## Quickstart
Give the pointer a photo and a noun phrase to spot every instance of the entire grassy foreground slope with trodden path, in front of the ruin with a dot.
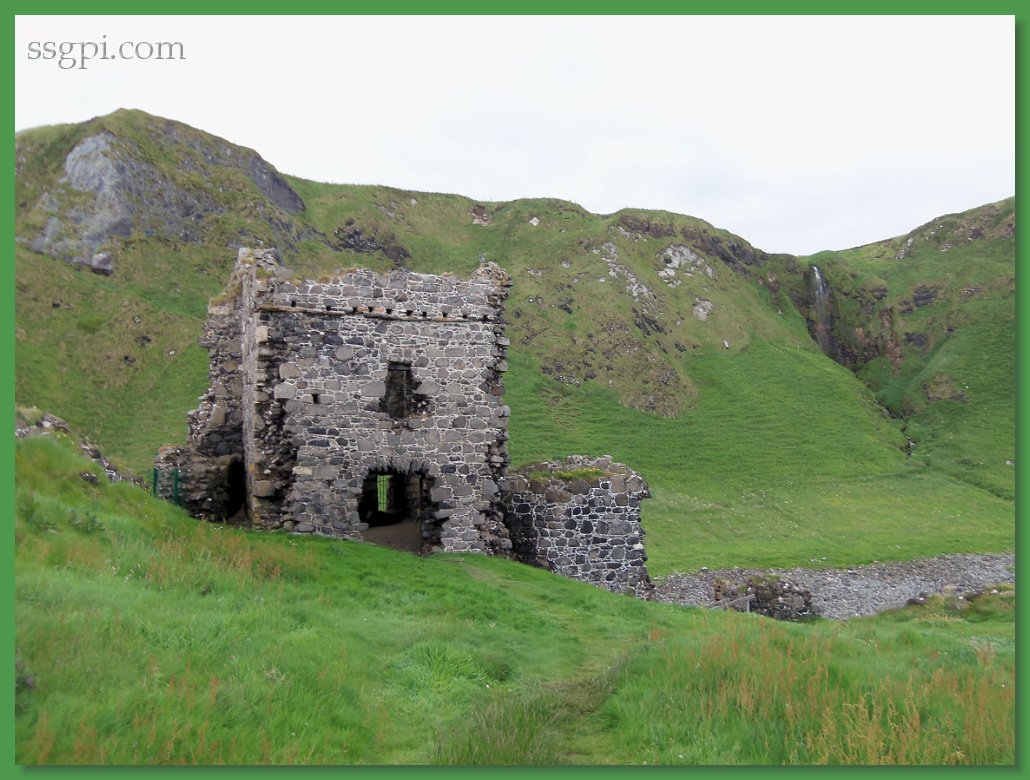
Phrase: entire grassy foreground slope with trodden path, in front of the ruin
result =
(145, 637)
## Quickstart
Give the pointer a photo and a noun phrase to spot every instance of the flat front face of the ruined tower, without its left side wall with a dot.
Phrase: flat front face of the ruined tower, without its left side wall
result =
(324, 352)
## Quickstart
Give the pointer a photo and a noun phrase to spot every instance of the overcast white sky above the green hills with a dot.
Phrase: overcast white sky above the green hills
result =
(799, 133)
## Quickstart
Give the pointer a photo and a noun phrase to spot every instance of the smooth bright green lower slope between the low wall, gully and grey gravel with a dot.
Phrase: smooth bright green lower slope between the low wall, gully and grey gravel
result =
(758, 473)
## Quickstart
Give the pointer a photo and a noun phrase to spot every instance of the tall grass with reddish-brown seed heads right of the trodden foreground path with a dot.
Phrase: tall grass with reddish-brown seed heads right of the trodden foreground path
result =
(763, 694)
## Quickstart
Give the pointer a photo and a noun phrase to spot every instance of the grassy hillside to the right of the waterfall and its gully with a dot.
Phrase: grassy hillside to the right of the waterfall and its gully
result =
(944, 297)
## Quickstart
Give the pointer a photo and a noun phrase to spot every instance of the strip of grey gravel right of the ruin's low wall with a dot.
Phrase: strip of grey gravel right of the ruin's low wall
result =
(840, 594)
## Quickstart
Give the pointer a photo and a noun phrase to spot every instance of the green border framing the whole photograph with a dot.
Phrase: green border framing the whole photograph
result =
(479, 8)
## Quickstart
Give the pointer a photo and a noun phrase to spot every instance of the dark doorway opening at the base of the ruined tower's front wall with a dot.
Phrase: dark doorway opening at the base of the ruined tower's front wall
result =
(397, 508)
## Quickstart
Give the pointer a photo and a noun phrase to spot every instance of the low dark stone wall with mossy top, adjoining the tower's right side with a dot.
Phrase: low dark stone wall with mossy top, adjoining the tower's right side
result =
(580, 519)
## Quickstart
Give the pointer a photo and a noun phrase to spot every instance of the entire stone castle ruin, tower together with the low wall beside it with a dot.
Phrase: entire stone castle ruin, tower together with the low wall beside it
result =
(371, 408)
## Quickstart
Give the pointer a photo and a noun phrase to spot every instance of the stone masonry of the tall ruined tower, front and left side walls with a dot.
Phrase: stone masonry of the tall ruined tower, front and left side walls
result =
(306, 408)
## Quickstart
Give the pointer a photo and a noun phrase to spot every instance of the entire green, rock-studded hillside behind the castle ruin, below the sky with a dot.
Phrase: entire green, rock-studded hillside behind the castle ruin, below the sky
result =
(665, 342)
